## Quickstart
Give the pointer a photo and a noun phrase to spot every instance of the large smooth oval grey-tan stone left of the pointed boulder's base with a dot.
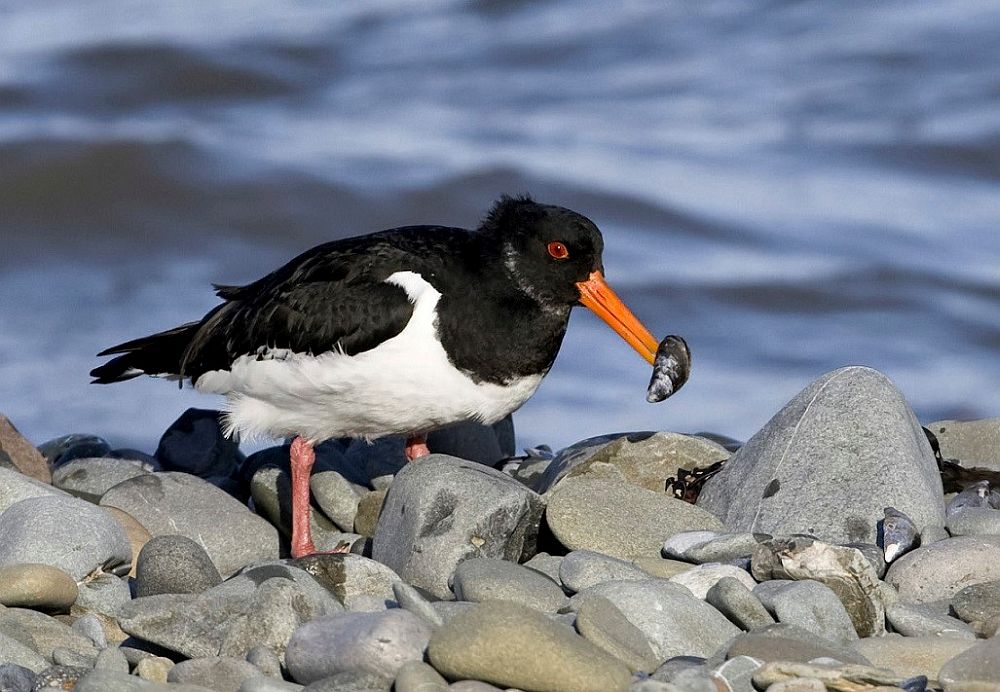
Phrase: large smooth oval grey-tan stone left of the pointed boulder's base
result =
(618, 519)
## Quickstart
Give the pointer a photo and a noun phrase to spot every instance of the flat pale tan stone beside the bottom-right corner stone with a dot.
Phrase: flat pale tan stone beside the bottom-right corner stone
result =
(911, 656)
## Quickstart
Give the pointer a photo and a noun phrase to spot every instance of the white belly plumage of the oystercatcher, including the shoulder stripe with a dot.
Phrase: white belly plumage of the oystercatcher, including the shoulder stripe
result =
(404, 385)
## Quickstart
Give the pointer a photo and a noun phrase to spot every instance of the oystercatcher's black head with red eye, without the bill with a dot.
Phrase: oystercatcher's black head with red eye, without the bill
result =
(547, 250)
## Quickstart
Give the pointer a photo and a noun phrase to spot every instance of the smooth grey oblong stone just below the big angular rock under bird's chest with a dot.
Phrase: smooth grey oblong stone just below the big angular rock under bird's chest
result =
(489, 579)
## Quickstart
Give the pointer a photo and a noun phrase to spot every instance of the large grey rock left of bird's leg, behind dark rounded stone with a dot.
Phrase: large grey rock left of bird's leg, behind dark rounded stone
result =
(179, 503)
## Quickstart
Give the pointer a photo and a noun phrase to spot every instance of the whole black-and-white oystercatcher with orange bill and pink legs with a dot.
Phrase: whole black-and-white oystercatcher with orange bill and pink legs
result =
(399, 332)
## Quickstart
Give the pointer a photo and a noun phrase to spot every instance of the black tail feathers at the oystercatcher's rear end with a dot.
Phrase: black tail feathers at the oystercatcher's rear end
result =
(156, 354)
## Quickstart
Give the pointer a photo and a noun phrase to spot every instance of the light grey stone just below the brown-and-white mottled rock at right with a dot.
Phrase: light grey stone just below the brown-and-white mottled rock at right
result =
(811, 606)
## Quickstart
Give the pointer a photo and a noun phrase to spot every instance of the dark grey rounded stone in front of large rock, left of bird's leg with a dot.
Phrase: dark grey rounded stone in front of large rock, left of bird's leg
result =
(174, 564)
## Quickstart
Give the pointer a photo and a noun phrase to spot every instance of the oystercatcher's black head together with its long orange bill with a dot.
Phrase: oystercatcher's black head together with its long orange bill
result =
(553, 254)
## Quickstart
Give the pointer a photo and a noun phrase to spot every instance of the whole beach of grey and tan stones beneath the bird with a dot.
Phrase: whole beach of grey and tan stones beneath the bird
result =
(824, 554)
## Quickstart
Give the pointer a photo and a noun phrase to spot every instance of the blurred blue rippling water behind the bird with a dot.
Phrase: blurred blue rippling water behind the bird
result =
(792, 186)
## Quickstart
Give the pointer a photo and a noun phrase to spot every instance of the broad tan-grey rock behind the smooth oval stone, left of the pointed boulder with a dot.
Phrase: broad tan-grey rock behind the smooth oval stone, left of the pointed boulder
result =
(645, 459)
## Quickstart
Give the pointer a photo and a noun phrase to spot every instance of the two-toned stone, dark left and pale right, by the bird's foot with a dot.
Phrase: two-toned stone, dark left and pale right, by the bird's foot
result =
(356, 581)
